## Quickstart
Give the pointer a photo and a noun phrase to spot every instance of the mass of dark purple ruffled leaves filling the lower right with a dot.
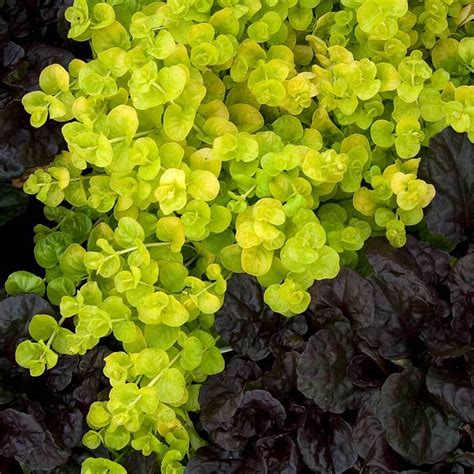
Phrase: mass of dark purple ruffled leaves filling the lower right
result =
(375, 376)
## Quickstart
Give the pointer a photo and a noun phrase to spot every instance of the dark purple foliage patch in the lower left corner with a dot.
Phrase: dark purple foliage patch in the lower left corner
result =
(43, 419)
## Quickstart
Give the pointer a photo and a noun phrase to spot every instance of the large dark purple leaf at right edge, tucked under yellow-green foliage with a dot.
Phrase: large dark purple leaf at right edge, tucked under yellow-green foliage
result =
(448, 165)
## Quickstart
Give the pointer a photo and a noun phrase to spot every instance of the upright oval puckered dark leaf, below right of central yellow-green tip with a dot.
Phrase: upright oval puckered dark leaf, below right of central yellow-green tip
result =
(322, 368)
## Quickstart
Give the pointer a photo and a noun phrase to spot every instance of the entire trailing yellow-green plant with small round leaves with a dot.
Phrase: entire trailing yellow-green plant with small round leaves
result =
(209, 138)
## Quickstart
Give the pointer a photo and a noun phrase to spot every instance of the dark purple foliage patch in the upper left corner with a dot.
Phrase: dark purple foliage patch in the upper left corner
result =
(32, 36)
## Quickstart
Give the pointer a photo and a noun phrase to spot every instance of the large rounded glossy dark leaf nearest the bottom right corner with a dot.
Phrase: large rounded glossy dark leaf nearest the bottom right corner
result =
(415, 428)
